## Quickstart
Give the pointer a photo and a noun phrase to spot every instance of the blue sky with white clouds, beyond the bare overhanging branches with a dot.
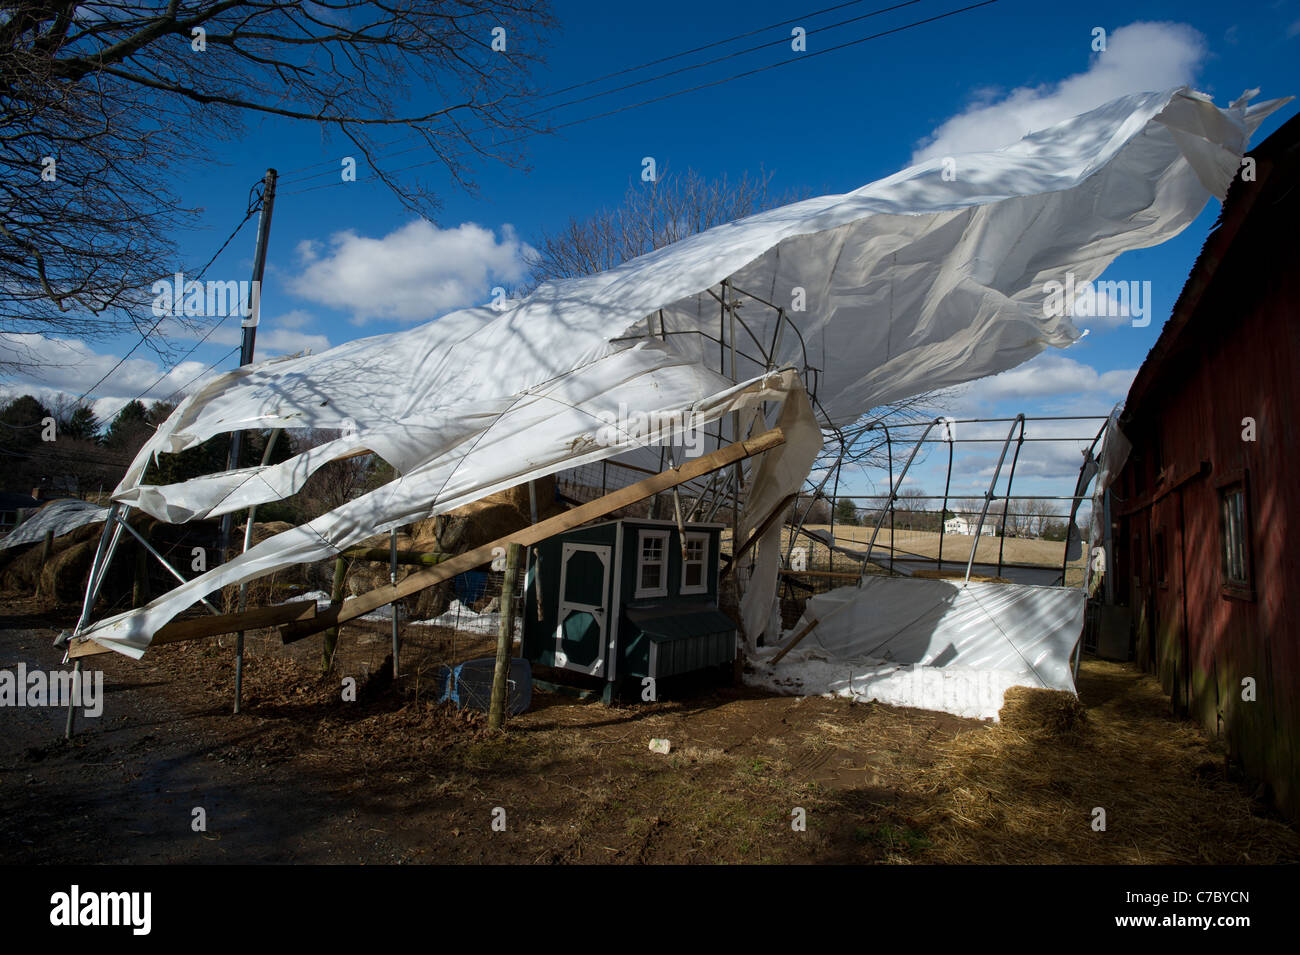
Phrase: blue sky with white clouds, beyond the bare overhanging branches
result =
(826, 124)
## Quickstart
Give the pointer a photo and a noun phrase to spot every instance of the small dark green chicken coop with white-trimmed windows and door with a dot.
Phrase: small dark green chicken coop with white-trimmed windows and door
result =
(622, 601)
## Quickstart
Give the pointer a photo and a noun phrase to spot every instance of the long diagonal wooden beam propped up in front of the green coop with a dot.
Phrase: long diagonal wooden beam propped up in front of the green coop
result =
(422, 580)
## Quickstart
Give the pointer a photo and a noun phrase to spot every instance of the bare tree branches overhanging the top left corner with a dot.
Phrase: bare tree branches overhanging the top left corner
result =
(102, 103)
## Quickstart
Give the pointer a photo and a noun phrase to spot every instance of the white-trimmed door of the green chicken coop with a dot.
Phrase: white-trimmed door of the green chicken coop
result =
(584, 622)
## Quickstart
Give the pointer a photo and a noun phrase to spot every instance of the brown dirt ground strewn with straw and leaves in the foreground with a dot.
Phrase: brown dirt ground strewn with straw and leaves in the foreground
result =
(304, 776)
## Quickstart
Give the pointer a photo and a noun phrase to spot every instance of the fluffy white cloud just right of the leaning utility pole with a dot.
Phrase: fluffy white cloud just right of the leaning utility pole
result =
(414, 274)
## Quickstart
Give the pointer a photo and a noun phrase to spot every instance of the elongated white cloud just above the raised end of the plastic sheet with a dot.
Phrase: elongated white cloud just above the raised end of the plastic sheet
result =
(1139, 58)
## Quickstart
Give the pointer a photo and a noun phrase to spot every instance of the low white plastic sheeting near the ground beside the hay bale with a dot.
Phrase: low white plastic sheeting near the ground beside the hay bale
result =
(931, 644)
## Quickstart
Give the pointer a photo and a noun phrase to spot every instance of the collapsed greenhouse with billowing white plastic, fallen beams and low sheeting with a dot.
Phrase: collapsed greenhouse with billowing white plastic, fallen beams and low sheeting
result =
(775, 337)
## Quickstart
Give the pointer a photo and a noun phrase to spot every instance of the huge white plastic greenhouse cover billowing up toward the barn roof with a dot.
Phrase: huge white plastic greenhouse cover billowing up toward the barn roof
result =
(918, 281)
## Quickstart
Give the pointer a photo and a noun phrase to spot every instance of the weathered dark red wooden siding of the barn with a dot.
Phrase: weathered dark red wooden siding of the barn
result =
(1238, 357)
